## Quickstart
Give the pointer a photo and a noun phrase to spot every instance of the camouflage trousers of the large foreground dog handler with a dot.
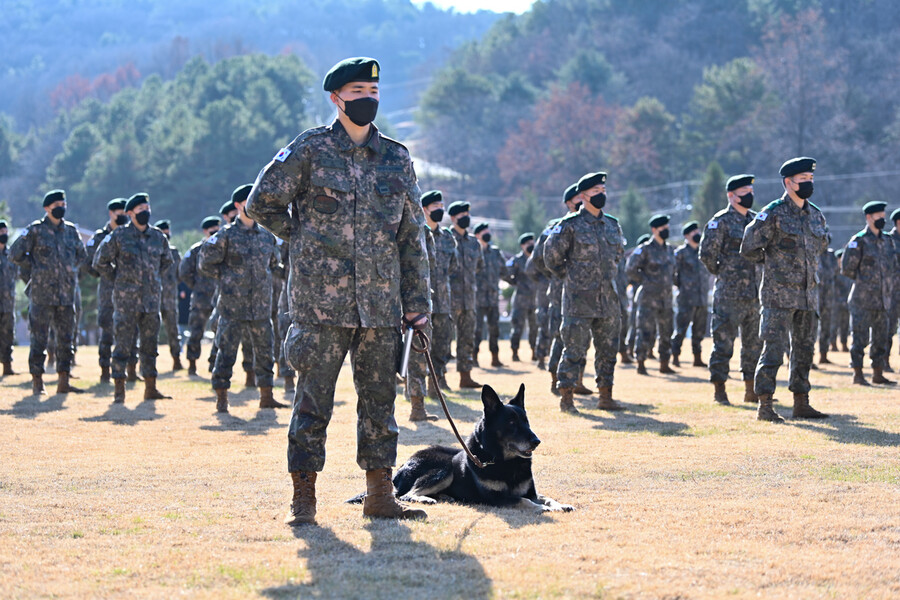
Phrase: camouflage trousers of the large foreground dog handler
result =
(317, 352)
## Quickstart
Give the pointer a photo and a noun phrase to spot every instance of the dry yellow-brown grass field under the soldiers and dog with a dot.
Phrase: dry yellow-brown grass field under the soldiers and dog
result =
(675, 498)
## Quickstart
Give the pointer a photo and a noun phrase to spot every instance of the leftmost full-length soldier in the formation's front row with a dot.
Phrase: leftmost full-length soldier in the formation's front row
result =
(51, 250)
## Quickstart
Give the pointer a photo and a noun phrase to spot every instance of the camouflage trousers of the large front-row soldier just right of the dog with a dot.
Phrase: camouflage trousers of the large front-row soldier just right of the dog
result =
(576, 335)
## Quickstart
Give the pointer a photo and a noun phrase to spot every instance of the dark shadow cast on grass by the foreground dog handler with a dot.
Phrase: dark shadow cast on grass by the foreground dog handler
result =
(395, 566)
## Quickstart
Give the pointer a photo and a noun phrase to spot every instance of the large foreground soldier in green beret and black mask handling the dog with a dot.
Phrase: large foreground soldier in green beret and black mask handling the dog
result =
(346, 199)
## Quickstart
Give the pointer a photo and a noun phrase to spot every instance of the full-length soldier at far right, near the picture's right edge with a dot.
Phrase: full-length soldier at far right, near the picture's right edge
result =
(868, 259)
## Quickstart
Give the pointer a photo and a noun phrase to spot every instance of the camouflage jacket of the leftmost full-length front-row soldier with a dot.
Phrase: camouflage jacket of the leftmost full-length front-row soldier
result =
(52, 254)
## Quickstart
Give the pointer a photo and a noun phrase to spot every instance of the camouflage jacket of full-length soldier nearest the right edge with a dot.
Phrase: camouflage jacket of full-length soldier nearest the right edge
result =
(869, 260)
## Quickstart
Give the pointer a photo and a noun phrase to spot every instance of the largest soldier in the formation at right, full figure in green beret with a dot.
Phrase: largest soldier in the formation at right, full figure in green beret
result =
(787, 237)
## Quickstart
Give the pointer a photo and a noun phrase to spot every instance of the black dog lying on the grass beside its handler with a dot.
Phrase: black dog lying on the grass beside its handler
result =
(503, 441)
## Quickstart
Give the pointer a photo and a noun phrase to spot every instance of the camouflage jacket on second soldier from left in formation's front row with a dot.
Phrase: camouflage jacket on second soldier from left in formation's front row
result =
(135, 261)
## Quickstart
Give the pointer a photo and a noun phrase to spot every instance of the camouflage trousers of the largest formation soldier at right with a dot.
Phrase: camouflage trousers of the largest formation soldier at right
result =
(776, 326)
